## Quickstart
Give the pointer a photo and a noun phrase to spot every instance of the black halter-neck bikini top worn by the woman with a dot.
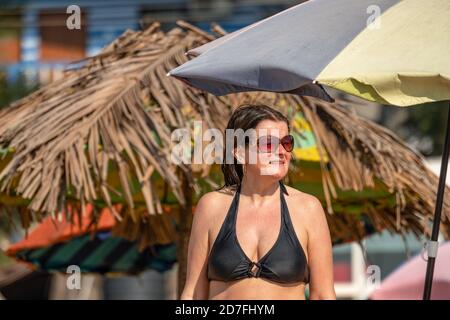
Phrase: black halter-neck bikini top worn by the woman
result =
(285, 262)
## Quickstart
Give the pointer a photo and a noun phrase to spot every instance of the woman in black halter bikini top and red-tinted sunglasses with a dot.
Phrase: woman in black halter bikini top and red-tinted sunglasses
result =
(257, 238)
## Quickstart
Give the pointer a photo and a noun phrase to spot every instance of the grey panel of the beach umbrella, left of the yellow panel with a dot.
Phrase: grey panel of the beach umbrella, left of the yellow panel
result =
(262, 56)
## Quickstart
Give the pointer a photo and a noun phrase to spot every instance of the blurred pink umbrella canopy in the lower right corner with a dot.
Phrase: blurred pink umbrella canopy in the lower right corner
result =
(406, 282)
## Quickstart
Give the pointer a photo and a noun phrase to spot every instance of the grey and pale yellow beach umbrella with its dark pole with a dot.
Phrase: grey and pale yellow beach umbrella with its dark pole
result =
(388, 51)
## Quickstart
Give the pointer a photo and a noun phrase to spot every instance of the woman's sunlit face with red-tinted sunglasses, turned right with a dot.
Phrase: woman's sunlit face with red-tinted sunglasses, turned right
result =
(270, 158)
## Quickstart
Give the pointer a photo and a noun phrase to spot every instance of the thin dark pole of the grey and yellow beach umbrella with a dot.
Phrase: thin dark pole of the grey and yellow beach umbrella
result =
(433, 244)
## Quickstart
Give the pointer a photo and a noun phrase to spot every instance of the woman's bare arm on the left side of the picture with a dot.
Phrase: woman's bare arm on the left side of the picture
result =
(197, 285)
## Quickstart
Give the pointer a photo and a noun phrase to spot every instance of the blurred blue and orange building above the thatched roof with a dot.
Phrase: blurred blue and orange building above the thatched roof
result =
(35, 37)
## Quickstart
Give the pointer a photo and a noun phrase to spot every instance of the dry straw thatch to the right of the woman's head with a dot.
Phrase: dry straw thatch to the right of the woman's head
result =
(360, 152)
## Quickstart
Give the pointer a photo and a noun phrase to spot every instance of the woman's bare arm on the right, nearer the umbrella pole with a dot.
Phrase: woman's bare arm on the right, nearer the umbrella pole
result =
(320, 254)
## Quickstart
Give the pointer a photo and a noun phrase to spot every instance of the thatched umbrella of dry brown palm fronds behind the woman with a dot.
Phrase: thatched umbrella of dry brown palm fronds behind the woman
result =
(102, 134)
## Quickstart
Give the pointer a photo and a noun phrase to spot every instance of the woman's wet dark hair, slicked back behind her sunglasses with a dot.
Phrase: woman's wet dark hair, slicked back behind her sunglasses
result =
(245, 117)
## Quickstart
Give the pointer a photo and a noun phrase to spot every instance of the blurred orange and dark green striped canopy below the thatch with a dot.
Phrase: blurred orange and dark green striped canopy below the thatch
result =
(55, 245)
